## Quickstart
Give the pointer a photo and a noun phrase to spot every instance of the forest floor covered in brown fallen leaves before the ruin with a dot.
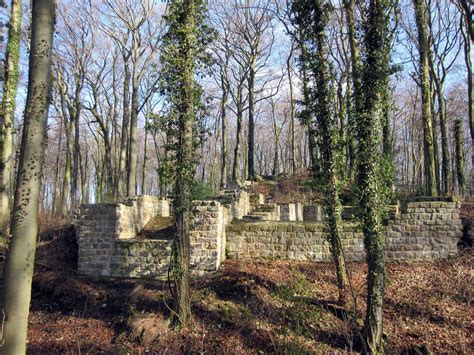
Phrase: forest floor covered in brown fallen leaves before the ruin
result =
(247, 307)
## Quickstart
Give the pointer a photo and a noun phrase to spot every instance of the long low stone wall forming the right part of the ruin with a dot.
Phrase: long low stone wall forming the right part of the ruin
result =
(425, 231)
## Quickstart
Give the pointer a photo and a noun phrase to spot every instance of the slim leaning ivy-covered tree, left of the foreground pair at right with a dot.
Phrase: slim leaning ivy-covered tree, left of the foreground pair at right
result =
(314, 16)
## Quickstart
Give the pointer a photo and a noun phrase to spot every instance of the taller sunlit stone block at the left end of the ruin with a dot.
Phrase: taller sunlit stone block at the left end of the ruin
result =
(108, 245)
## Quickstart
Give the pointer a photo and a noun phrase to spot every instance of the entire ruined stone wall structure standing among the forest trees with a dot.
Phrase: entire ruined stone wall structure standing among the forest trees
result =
(240, 225)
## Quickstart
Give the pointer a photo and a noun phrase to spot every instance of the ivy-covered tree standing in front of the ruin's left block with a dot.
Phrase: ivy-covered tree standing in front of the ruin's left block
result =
(183, 43)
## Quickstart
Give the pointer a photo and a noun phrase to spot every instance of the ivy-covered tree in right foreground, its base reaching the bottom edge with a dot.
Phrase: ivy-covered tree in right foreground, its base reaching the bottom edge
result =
(374, 83)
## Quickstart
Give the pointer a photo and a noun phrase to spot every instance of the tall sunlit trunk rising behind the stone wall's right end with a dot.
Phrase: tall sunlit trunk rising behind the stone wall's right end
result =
(428, 138)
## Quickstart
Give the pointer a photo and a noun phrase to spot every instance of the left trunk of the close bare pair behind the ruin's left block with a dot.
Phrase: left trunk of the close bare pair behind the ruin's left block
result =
(123, 160)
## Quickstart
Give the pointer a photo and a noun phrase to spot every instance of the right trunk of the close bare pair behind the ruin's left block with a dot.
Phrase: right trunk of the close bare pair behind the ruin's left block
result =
(133, 152)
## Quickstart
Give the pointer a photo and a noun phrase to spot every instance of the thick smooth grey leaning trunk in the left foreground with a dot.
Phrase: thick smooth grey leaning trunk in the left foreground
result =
(19, 265)
